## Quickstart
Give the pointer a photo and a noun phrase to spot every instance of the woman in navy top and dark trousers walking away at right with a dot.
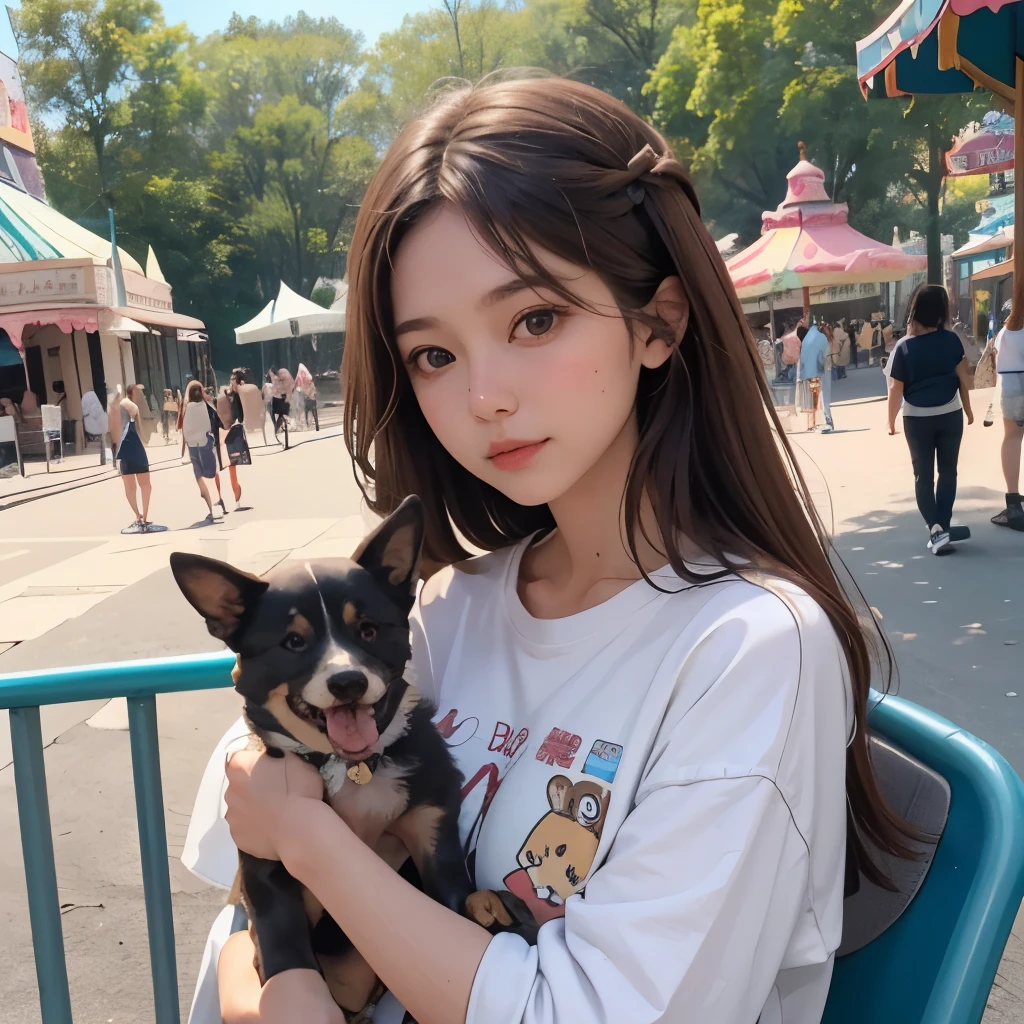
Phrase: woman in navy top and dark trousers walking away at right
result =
(928, 374)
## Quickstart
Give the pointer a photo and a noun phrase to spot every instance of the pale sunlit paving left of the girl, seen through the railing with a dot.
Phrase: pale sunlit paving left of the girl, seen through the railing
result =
(73, 590)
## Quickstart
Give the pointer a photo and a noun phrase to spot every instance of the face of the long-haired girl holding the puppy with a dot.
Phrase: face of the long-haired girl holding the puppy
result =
(525, 391)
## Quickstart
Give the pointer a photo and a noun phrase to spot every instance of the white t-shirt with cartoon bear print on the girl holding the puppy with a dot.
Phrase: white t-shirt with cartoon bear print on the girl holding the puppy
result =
(664, 778)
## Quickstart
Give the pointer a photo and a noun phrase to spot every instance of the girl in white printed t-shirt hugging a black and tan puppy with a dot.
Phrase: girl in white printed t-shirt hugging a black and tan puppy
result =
(540, 328)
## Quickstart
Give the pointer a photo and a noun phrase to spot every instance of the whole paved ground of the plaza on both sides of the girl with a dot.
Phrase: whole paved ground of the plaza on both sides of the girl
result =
(73, 590)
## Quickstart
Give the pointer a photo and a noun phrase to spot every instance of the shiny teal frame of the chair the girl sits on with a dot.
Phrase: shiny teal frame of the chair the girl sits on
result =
(937, 962)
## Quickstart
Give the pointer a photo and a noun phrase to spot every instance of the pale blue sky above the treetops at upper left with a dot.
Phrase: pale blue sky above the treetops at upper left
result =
(203, 17)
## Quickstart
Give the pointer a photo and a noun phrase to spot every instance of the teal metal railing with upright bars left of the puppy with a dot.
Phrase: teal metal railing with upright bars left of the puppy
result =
(140, 682)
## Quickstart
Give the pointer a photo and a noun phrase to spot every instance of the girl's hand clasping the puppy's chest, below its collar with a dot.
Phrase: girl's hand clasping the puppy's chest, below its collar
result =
(270, 800)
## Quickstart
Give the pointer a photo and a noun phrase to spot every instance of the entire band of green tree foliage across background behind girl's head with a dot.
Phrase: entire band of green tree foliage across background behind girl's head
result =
(243, 157)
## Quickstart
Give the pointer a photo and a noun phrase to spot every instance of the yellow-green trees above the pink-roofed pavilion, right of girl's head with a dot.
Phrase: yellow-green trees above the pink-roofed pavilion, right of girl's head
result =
(746, 81)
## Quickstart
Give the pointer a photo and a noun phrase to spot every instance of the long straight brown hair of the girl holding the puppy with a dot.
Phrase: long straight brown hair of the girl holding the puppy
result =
(563, 166)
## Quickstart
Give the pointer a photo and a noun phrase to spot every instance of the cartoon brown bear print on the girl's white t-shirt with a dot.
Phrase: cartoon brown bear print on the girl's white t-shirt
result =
(554, 861)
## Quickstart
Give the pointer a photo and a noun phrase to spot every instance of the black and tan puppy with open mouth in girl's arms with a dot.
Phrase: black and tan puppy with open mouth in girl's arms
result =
(322, 653)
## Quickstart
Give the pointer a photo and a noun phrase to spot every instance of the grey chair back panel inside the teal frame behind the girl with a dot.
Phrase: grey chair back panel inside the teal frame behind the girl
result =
(921, 797)
